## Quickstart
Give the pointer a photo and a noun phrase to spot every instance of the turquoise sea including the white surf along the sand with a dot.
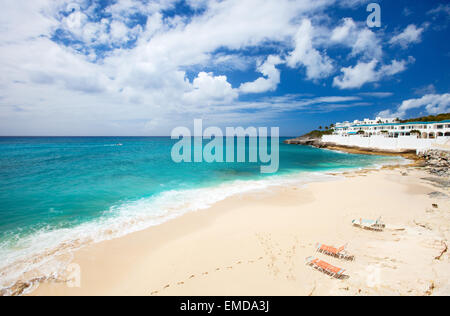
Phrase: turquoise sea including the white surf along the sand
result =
(57, 194)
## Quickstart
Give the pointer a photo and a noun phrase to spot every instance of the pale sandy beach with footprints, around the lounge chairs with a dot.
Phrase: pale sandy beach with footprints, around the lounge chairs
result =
(256, 244)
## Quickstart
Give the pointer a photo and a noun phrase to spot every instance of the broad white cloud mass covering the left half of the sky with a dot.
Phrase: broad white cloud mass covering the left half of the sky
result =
(131, 82)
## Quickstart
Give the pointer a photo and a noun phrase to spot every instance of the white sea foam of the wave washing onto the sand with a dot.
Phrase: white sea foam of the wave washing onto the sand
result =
(46, 253)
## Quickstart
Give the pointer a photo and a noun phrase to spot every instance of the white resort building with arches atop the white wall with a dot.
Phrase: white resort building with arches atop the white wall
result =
(390, 127)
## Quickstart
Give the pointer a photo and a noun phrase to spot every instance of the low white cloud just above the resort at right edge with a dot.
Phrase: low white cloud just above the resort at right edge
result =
(432, 104)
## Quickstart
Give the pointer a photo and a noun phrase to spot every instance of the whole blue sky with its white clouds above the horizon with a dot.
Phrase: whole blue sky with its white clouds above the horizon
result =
(142, 68)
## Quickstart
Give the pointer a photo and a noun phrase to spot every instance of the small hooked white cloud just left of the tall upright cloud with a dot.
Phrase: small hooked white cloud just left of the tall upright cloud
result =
(268, 69)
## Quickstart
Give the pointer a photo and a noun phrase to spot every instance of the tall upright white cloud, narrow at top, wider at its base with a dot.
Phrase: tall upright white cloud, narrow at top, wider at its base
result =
(318, 65)
